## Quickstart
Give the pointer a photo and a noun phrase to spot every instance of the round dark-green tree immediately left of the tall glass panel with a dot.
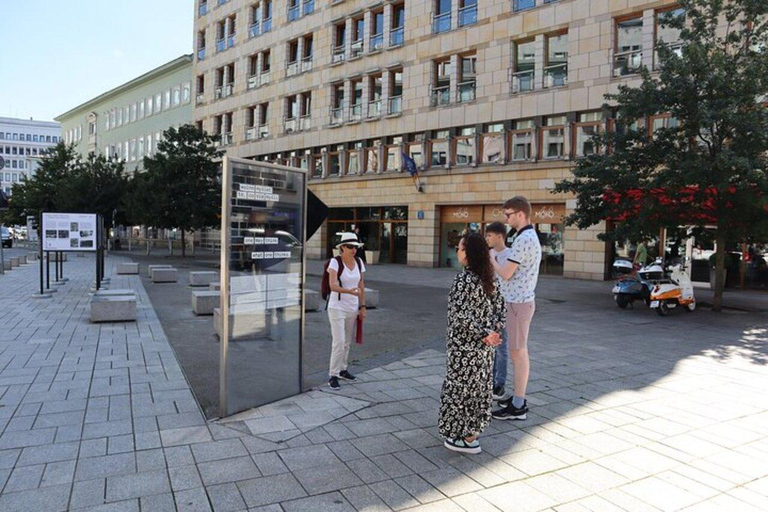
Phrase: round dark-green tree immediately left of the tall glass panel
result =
(184, 176)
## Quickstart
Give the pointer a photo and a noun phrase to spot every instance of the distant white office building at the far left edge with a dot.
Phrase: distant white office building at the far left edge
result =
(21, 142)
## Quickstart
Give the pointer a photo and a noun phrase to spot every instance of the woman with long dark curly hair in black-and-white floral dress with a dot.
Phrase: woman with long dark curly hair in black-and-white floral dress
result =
(475, 319)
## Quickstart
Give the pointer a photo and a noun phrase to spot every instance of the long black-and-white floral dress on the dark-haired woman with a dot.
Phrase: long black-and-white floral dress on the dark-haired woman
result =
(465, 403)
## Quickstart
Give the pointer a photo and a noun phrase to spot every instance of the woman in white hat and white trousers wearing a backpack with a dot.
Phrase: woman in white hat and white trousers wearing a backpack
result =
(344, 289)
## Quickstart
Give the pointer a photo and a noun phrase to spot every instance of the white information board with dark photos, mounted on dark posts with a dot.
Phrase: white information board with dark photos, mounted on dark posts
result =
(69, 232)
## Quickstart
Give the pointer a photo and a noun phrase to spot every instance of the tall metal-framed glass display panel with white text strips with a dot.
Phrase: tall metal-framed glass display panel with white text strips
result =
(263, 253)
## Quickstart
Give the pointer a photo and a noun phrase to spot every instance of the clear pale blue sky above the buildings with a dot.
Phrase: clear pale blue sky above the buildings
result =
(59, 54)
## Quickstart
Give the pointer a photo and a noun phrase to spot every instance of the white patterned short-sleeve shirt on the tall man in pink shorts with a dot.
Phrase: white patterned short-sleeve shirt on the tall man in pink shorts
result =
(526, 252)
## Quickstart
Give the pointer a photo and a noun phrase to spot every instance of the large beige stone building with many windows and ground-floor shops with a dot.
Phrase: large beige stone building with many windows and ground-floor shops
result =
(490, 99)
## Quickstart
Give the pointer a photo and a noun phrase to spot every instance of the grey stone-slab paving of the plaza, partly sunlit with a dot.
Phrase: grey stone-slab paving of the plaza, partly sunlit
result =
(628, 412)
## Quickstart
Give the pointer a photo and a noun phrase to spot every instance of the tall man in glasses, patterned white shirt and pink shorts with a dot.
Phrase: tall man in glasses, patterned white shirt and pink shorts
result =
(522, 273)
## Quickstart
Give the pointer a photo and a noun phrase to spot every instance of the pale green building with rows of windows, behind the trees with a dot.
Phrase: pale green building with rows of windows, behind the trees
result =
(128, 121)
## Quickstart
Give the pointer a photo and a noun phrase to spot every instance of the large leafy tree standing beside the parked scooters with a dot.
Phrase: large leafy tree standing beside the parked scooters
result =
(708, 167)
